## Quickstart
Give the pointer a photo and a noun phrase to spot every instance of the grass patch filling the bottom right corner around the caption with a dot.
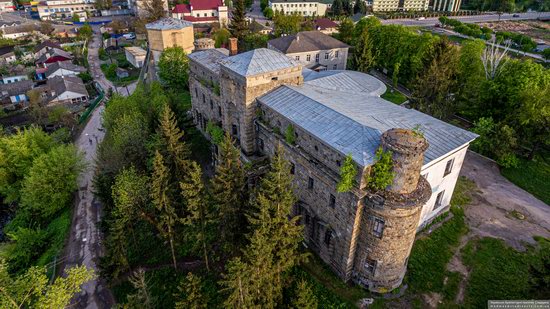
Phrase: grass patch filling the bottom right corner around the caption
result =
(501, 272)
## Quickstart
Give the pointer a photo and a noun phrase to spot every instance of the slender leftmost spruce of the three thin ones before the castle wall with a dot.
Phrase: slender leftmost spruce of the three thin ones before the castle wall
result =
(167, 217)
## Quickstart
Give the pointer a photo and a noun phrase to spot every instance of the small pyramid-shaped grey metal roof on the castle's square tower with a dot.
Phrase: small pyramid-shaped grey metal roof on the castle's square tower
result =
(258, 61)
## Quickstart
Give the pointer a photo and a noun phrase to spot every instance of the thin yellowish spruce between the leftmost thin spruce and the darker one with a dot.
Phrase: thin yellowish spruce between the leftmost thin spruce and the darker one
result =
(200, 217)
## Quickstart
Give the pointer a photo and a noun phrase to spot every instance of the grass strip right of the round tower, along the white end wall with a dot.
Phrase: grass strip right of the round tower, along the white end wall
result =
(429, 257)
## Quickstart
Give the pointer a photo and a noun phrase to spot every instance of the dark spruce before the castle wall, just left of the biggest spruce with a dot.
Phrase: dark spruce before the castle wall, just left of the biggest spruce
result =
(229, 195)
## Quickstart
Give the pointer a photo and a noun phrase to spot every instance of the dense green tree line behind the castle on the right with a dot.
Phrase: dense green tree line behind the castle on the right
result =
(507, 99)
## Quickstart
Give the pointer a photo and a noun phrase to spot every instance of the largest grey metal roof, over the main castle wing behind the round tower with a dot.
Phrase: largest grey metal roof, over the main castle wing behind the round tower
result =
(351, 121)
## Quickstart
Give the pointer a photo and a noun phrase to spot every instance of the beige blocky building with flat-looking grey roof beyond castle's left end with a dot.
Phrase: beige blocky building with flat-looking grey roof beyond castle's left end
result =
(169, 32)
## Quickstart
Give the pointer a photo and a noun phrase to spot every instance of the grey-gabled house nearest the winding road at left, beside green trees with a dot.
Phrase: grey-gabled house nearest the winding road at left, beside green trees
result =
(66, 90)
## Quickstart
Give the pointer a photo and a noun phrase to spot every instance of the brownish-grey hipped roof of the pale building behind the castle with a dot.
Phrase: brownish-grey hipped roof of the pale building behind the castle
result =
(306, 41)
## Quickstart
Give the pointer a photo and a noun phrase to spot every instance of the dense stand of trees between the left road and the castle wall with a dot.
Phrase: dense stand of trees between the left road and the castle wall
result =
(163, 208)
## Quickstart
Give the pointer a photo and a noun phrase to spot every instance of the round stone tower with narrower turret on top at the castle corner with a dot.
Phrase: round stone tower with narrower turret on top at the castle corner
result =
(393, 214)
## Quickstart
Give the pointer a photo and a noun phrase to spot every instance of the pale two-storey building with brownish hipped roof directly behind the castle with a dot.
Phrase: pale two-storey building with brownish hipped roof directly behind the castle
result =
(315, 50)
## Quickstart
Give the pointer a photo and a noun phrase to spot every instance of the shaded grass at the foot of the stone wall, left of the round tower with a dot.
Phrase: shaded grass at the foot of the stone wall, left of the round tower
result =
(329, 289)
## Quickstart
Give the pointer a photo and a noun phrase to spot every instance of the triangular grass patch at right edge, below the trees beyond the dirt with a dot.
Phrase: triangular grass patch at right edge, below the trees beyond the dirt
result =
(532, 176)
